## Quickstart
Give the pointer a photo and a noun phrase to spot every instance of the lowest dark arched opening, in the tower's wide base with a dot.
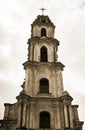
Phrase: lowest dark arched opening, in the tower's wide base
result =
(44, 120)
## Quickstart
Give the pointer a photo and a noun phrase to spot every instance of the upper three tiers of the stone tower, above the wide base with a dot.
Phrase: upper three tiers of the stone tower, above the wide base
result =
(43, 58)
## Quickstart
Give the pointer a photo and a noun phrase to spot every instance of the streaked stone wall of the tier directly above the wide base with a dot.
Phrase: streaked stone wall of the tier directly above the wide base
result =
(43, 71)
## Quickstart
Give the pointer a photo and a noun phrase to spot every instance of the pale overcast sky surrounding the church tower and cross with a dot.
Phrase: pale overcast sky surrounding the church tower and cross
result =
(16, 17)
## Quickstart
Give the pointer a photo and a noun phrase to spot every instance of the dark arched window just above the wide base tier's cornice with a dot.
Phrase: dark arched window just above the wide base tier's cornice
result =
(44, 85)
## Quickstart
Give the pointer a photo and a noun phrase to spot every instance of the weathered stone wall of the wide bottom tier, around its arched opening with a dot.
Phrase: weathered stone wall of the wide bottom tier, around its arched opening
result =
(62, 113)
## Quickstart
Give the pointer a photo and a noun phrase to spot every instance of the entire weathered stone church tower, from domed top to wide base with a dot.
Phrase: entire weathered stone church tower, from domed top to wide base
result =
(43, 104)
